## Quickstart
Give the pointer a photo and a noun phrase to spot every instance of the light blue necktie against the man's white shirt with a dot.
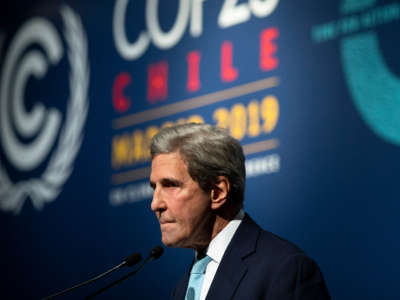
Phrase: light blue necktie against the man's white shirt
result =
(196, 278)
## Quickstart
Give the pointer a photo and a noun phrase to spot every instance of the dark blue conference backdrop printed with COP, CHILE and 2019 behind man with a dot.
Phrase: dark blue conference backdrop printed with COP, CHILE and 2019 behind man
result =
(310, 88)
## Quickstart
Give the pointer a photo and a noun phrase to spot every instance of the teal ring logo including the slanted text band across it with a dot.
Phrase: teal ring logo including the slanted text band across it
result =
(375, 90)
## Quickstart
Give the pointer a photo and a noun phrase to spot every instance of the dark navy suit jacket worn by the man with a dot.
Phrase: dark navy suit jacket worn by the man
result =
(259, 265)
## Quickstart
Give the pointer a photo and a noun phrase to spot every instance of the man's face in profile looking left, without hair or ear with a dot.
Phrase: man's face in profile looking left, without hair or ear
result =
(181, 206)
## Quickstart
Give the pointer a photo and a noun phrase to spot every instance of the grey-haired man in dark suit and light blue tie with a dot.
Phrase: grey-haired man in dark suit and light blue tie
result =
(198, 177)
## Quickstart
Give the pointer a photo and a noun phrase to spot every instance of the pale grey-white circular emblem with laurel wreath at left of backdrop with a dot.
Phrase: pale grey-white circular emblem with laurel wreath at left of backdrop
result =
(45, 128)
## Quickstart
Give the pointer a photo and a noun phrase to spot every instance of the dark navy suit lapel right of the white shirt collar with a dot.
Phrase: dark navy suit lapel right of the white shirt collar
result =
(233, 268)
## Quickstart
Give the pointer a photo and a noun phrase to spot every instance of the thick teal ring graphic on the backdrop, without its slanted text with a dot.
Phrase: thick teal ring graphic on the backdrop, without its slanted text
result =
(375, 90)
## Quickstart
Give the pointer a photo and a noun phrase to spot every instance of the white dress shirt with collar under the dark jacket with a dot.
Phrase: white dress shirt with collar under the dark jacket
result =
(216, 250)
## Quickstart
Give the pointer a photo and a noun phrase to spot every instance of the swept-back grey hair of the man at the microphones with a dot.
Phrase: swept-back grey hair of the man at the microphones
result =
(208, 152)
